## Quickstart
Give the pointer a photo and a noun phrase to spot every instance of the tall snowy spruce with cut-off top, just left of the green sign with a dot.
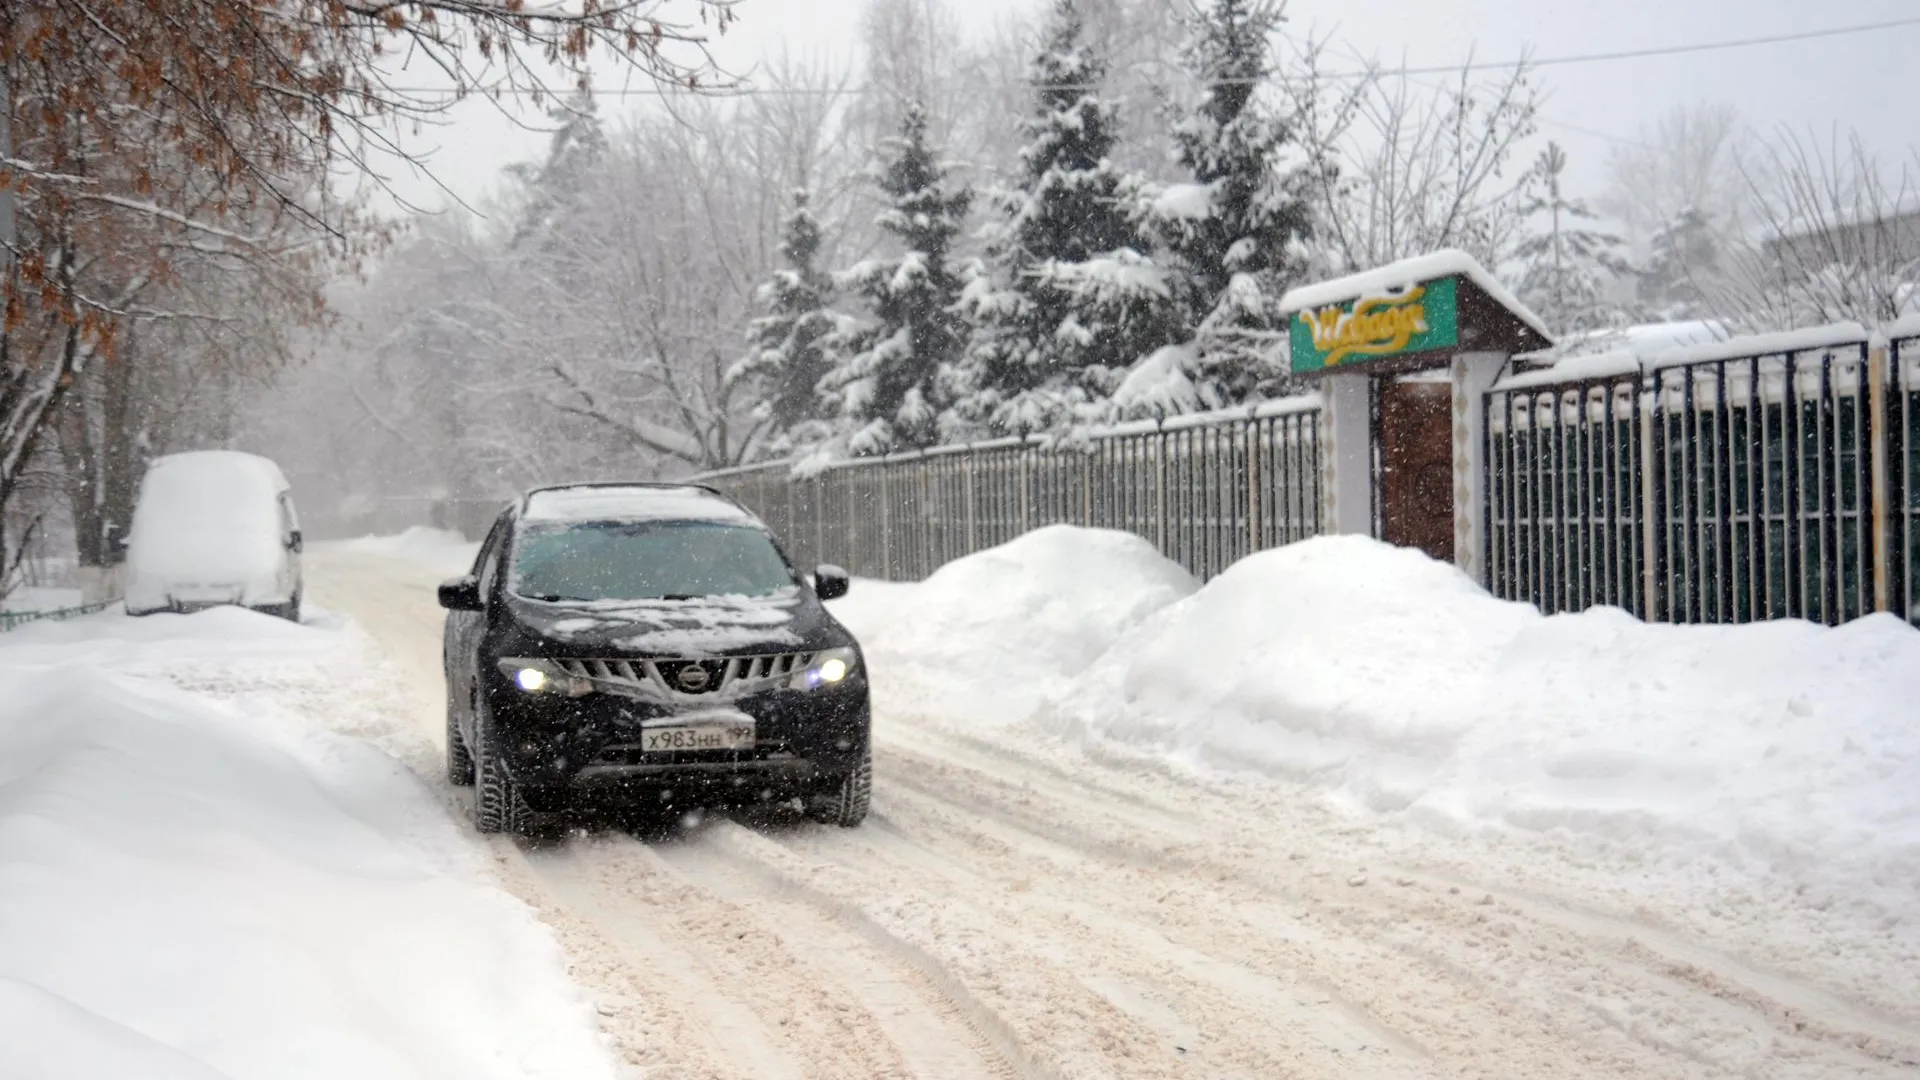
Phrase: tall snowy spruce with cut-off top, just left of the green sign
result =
(1236, 233)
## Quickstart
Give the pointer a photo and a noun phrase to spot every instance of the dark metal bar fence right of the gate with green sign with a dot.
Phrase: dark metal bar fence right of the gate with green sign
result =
(1721, 489)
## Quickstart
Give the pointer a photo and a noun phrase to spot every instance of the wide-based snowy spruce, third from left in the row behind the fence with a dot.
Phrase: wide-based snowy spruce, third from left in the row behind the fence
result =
(1068, 301)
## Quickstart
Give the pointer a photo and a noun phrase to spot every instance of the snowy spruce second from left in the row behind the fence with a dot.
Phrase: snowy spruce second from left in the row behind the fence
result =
(890, 385)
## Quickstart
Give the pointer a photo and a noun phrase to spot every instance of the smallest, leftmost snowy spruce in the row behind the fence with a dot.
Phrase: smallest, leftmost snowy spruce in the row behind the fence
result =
(788, 347)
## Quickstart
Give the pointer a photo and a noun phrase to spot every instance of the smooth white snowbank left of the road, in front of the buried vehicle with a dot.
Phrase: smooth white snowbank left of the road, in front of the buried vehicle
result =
(214, 889)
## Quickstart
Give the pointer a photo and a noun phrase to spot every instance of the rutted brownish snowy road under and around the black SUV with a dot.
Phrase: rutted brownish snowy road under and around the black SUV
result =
(1017, 912)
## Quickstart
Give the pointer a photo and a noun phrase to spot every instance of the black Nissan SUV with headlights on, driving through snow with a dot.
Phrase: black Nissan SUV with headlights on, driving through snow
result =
(648, 647)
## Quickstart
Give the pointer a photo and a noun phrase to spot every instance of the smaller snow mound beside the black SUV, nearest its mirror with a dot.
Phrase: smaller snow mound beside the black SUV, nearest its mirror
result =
(988, 637)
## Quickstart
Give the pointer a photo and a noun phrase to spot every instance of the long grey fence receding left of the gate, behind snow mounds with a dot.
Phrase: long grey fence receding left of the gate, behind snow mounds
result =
(1207, 491)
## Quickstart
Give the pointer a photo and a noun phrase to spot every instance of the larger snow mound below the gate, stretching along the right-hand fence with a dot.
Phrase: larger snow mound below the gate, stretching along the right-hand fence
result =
(1399, 685)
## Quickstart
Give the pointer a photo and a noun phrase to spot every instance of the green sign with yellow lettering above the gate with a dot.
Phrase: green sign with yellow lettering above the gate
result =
(1380, 328)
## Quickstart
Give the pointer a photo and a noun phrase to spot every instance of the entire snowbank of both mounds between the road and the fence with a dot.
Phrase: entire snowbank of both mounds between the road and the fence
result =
(1399, 687)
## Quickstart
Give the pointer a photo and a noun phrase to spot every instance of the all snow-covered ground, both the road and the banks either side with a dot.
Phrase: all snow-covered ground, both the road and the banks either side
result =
(1122, 827)
